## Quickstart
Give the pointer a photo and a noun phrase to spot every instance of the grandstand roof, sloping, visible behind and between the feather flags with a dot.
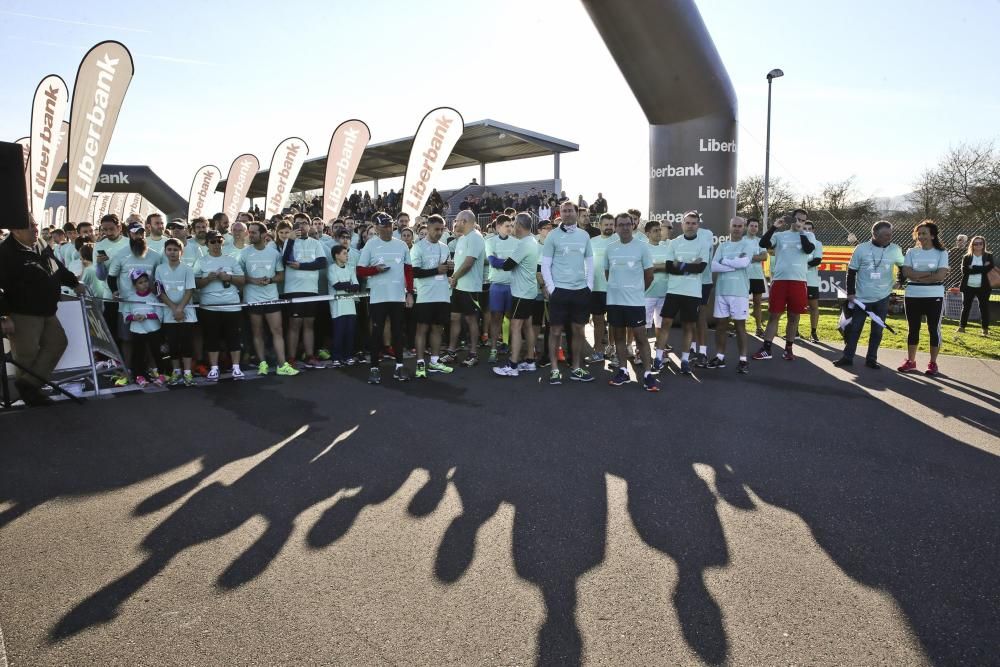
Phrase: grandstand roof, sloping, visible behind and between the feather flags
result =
(482, 142)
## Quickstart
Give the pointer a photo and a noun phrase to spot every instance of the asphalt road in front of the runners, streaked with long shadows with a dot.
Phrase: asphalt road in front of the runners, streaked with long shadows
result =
(800, 515)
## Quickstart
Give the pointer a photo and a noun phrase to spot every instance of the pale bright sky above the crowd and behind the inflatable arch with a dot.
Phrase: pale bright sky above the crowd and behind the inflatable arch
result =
(875, 90)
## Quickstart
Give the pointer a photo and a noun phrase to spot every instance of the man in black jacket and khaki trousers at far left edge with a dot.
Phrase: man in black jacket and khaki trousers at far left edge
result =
(30, 278)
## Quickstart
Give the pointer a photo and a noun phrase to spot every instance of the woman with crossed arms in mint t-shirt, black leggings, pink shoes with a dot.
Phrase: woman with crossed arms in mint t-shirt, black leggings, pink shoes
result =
(925, 267)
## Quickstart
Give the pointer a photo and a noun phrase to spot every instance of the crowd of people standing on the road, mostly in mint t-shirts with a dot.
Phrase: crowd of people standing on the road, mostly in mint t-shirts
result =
(185, 298)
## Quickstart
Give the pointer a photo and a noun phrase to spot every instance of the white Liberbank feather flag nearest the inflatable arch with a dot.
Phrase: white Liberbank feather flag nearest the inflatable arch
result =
(436, 137)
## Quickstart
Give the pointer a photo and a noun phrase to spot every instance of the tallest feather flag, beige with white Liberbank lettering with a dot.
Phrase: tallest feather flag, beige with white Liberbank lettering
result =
(101, 83)
